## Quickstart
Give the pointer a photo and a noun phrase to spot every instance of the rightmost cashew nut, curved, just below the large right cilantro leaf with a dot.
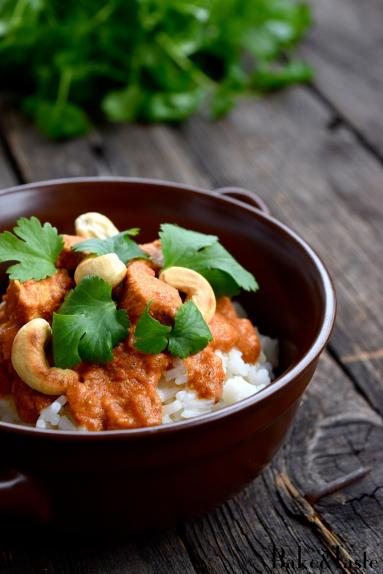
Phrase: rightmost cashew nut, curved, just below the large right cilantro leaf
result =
(197, 288)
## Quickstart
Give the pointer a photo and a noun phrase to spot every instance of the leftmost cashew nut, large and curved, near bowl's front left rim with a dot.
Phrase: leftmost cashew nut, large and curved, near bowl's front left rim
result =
(30, 362)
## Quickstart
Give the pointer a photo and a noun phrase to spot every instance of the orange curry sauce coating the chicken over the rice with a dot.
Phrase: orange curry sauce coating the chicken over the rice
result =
(120, 394)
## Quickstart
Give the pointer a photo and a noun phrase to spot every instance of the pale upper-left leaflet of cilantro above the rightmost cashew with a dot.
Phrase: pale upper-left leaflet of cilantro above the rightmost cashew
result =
(178, 243)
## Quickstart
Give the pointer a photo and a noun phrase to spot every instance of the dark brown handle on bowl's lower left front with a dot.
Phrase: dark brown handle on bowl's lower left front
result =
(22, 496)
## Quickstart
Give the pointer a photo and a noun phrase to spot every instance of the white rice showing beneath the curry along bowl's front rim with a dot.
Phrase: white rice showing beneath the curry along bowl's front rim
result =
(179, 401)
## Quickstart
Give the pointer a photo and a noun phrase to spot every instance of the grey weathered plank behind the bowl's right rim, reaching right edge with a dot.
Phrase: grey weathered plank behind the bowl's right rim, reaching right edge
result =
(328, 188)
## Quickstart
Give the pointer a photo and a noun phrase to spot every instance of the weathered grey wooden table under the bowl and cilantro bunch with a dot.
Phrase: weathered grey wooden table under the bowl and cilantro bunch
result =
(315, 155)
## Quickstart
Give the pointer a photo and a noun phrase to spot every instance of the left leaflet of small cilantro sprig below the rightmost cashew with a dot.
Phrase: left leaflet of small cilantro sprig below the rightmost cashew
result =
(151, 336)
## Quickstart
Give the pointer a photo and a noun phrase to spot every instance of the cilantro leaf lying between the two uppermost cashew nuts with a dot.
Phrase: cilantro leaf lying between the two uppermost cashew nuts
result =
(120, 244)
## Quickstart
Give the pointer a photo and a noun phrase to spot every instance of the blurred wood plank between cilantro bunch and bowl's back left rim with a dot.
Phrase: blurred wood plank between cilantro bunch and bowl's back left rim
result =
(151, 152)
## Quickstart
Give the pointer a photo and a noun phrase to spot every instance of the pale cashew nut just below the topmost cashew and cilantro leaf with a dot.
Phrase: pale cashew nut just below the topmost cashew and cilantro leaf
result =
(109, 267)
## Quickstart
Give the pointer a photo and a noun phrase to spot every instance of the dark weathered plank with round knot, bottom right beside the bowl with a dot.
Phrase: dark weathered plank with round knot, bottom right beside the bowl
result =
(335, 432)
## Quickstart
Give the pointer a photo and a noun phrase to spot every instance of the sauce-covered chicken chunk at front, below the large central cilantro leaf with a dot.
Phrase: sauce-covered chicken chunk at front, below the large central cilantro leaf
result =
(120, 394)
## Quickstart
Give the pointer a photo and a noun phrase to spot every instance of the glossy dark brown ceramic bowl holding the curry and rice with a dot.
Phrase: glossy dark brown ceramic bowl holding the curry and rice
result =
(155, 476)
